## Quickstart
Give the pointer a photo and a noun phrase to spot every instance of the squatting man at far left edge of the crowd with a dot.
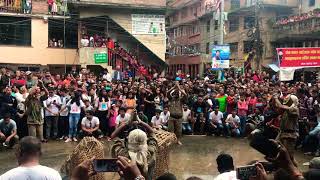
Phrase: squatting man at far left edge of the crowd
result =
(8, 131)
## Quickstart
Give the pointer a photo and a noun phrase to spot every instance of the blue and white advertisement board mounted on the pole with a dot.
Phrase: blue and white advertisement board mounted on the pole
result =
(220, 56)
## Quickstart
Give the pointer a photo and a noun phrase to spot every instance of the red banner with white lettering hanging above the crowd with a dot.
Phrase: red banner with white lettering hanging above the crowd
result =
(299, 57)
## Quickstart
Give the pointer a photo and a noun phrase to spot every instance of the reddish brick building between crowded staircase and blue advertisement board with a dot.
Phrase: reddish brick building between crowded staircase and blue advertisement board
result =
(191, 32)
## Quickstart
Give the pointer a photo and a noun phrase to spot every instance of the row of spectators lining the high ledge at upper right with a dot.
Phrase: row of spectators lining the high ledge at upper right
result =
(297, 18)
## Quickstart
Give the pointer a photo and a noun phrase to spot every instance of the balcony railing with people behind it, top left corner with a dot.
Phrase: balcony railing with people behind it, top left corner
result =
(16, 6)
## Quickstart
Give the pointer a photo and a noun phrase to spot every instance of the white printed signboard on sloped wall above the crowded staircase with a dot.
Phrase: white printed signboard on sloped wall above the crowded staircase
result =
(148, 24)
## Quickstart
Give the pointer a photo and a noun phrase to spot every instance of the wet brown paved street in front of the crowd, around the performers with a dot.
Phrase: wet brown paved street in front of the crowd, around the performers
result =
(195, 157)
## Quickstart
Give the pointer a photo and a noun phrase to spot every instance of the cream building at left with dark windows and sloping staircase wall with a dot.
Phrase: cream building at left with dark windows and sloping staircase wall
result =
(32, 39)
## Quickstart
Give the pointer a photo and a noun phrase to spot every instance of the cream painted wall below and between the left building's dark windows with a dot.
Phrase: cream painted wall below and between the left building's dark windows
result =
(38, 53)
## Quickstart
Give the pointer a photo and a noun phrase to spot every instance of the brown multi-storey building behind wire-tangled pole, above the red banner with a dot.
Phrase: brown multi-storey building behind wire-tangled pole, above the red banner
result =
(241, 25)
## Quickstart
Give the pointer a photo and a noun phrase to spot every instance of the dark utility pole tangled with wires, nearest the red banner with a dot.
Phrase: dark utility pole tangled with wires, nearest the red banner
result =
(258, 43)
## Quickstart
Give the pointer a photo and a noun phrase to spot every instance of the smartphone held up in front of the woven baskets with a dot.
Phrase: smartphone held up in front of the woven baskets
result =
(105, 165)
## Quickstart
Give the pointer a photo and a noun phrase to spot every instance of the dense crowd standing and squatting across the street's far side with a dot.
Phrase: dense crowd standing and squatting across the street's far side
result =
(78, 104)
